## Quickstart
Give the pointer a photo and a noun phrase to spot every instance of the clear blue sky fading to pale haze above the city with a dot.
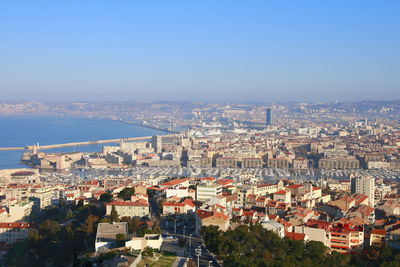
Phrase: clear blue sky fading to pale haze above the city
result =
(199, 50)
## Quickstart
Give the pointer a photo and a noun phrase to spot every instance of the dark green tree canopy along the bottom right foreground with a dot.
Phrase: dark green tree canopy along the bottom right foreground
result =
(255, 246)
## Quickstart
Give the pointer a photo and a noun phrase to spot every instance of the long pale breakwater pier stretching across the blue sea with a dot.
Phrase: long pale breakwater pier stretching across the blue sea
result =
(85, 143)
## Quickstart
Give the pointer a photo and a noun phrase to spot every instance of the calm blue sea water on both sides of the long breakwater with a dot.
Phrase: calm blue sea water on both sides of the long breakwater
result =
(21, 131)
